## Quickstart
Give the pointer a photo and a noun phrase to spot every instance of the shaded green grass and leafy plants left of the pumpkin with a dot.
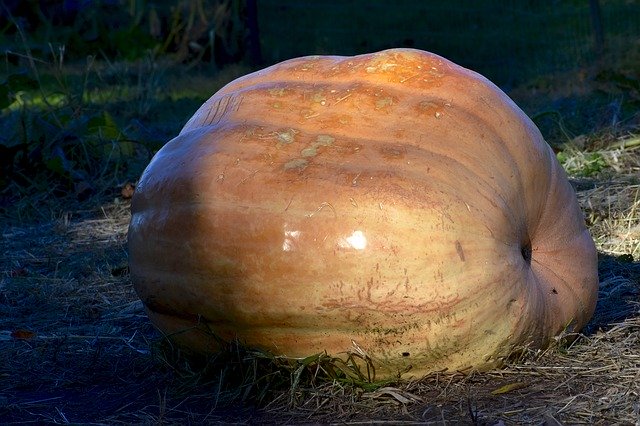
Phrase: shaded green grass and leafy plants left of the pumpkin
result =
(77, 132)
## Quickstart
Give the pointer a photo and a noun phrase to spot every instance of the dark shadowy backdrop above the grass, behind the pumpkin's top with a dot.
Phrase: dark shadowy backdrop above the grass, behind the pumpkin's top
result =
(508, 41)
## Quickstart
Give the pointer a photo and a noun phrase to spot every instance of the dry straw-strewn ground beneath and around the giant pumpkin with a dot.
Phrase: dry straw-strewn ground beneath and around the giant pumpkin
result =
(76, 347)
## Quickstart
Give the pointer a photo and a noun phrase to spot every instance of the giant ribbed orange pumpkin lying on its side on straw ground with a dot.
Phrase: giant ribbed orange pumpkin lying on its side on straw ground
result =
(393, 200)
